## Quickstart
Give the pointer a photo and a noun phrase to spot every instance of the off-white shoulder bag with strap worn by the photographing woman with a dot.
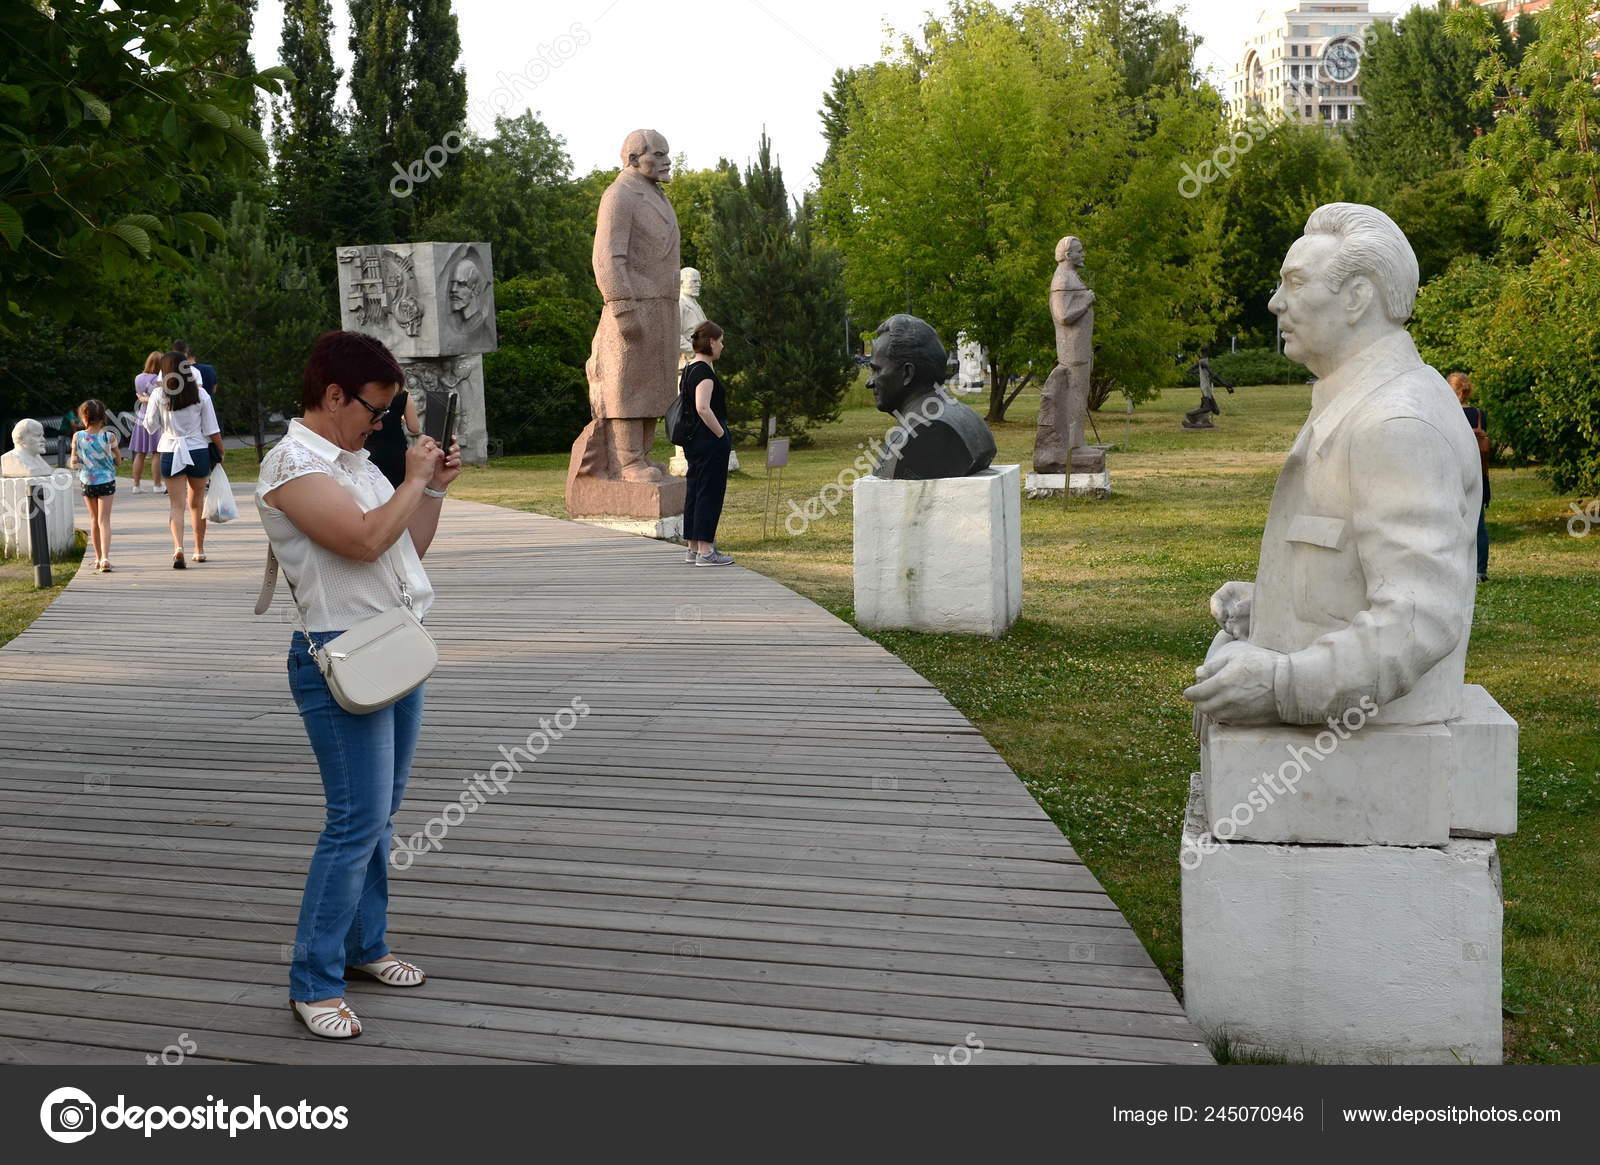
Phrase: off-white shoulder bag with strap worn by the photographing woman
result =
(375, 663)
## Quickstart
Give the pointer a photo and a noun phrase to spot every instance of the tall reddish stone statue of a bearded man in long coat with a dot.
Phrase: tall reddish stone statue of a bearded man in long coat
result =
(636, 348)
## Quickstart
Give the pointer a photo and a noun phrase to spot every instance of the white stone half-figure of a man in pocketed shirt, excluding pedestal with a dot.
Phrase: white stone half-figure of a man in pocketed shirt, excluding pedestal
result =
(1366, 583)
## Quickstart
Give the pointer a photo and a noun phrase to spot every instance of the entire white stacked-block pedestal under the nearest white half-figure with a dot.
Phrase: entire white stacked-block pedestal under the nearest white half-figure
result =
(1342, 897)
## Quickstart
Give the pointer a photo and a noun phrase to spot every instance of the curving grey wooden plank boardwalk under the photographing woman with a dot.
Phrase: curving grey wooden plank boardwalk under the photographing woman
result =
(769, 841)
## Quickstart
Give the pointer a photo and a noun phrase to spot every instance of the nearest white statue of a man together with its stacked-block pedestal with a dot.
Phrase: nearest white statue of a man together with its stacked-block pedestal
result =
(1340, 878)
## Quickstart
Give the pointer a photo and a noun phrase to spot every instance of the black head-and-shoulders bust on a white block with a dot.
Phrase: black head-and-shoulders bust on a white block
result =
(934, 436)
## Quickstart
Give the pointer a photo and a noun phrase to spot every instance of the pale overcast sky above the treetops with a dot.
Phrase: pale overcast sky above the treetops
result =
(711, 76)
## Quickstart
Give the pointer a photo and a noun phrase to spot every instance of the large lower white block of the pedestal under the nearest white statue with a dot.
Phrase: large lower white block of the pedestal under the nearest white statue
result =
(1366, 955)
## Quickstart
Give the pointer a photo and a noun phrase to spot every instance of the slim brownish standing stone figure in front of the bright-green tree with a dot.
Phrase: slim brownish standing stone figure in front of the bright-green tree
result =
(1065, 404)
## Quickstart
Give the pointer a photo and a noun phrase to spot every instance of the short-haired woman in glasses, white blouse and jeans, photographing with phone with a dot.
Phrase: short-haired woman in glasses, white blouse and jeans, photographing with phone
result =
(351, 548)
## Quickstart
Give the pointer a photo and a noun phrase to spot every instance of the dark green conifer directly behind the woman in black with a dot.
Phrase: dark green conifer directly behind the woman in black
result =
(780, 295)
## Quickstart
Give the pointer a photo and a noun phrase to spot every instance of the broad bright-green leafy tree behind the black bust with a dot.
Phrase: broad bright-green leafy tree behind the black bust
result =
(943, 215)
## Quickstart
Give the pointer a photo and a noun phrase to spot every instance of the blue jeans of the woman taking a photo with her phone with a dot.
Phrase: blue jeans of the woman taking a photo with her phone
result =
(366, 763)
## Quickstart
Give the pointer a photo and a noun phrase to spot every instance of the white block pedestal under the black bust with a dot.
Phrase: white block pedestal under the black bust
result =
(943, 554)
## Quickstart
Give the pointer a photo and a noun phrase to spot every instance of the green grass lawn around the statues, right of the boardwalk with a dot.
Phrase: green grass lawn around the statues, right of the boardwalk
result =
(1082, 697)
